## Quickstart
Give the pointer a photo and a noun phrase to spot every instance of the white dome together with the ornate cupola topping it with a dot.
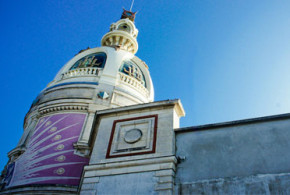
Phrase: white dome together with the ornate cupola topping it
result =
(107, 76)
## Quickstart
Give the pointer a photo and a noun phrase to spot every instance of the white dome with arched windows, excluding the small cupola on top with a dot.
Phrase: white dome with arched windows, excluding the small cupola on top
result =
(123, 77)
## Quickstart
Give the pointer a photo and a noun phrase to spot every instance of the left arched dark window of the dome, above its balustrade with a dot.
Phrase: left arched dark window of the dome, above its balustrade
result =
(95, 60)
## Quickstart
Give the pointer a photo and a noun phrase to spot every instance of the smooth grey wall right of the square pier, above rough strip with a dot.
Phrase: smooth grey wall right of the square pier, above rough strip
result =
(238, 149)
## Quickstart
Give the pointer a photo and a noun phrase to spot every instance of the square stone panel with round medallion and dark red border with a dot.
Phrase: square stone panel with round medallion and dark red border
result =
(133, 136)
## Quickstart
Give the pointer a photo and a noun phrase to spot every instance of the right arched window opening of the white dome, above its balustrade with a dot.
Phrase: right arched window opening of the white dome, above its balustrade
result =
(133, 70)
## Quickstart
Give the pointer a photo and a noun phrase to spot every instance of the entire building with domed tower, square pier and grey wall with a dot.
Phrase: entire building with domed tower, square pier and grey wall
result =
(95, 129)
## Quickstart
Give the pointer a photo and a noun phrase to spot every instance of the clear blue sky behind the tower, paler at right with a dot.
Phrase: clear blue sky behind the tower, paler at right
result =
(226, 60)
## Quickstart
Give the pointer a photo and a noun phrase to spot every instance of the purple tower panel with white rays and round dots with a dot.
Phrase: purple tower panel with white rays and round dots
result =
(50, 158)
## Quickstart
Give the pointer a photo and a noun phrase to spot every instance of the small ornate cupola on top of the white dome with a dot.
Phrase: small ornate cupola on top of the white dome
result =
(123, 33)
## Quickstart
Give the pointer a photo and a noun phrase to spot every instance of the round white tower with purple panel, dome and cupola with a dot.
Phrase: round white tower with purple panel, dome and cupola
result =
(56, 142)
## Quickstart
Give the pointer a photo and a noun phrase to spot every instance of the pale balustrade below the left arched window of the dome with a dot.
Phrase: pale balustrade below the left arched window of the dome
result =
(80, 72)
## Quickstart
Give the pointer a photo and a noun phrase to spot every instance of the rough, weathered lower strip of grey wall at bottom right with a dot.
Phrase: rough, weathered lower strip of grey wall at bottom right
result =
(260, 184)
